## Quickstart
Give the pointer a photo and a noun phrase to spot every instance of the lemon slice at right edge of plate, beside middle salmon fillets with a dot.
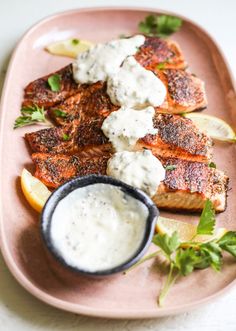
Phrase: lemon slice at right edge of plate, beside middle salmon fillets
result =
(215, 127)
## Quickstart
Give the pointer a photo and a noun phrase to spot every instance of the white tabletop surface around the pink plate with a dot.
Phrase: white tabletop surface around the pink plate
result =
(19, 311)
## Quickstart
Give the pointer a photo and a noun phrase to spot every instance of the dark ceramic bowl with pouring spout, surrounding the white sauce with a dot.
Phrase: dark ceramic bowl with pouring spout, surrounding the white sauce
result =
(78, 182)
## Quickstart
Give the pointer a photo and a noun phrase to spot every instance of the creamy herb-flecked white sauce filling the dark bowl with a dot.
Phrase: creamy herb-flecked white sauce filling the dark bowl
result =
(98, 227)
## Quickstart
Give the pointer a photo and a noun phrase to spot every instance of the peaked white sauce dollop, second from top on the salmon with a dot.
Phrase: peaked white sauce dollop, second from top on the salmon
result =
(134, 86)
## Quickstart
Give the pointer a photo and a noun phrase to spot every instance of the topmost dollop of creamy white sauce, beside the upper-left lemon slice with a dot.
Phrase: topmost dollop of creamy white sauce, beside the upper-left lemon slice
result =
(103, 60)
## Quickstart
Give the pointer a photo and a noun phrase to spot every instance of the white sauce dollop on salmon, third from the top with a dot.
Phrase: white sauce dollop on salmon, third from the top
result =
(125, 126)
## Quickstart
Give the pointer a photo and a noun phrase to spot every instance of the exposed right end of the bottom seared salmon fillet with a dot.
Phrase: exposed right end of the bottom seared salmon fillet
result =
(189, 185)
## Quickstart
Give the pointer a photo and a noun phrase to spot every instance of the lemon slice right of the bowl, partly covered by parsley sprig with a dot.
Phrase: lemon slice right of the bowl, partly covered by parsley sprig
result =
(186, 231)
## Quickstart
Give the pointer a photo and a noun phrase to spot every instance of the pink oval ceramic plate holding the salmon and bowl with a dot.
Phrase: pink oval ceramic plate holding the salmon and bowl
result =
(133, 295)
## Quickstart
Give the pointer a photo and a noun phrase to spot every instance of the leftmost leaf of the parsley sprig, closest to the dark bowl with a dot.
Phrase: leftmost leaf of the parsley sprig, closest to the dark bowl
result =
(168, 244)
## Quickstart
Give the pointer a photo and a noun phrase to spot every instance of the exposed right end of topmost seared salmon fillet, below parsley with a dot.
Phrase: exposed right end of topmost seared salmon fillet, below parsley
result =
(163, 52)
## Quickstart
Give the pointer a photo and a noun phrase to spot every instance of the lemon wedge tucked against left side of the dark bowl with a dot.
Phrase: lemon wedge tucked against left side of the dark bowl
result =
(35, 192)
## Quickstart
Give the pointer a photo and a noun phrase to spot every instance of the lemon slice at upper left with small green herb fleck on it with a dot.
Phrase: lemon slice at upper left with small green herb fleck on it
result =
(70, 47)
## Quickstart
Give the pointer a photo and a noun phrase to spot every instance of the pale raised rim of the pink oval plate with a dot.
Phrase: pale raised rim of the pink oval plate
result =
(18, 275)
